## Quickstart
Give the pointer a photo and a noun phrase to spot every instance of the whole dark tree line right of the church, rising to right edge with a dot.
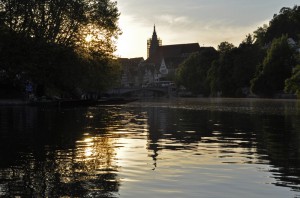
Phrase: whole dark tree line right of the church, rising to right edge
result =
(264, 64)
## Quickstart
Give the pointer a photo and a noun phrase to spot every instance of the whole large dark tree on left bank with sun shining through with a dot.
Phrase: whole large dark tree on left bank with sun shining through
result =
(64, 47)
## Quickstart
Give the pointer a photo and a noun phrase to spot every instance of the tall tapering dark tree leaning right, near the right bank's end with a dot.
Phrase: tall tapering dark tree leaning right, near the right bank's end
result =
(276, 67)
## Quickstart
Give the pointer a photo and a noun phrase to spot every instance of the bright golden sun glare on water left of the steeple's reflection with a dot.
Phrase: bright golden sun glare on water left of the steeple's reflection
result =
(106, 150)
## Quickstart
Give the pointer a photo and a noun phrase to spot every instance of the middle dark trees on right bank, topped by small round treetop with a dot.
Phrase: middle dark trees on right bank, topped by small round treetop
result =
(231, 73)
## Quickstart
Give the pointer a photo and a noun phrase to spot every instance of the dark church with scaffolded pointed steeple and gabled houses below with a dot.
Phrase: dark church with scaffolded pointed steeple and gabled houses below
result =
(160, 65)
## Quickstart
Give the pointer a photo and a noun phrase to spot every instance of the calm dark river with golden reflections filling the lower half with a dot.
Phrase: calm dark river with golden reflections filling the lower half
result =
(210, 148)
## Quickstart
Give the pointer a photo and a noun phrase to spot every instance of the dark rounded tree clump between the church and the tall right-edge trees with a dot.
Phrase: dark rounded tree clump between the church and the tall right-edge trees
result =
(227, 73)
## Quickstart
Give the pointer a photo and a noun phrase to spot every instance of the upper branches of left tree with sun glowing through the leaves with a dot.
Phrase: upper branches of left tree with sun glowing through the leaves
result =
(64, 22)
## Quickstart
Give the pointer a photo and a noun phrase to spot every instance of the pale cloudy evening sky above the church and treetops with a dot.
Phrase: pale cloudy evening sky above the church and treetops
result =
(207, 22)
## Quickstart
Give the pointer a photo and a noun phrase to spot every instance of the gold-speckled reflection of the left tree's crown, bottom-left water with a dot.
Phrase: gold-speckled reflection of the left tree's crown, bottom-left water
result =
(64, 173)
